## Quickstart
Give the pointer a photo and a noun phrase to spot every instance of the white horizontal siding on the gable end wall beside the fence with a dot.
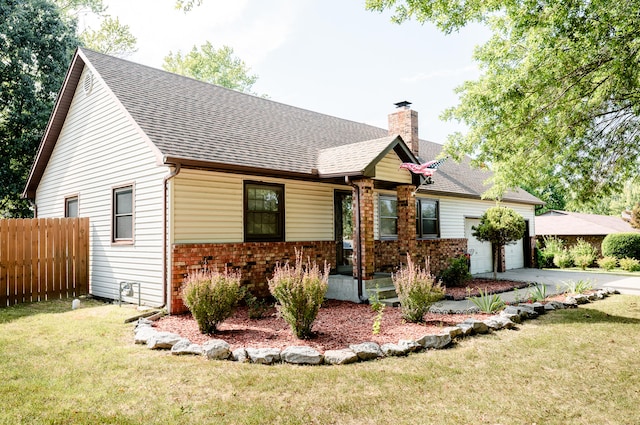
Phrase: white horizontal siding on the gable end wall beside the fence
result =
(99, 149)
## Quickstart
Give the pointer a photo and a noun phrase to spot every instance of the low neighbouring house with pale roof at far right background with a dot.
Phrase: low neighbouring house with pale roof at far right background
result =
(570, 226)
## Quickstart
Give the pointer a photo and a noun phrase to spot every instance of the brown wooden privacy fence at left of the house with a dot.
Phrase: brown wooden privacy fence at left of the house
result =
(43, 259)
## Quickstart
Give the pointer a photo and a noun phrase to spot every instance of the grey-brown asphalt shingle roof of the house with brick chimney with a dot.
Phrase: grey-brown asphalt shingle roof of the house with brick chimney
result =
(191, 120)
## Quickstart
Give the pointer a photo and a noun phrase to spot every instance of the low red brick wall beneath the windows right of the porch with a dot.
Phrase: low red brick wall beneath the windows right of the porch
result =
(439, 251)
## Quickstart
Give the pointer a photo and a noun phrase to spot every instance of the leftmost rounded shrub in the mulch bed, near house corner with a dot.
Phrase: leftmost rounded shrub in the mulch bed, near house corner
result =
(212, 297)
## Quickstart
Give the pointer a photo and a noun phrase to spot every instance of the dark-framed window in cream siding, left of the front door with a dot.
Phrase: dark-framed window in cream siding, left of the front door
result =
(263, 212)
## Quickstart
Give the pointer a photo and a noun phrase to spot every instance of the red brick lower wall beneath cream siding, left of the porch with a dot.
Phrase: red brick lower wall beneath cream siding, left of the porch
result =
(255, 260)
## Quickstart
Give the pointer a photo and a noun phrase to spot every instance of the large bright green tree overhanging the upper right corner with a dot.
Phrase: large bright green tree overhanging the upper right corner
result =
(558, 101)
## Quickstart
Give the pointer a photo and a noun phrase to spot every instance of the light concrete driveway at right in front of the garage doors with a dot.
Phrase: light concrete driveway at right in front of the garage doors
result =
(554, 278)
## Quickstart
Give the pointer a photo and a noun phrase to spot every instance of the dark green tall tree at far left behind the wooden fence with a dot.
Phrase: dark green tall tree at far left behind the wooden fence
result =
(36, 44)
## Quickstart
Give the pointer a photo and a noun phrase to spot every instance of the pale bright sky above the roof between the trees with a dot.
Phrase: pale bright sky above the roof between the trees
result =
(329, 56)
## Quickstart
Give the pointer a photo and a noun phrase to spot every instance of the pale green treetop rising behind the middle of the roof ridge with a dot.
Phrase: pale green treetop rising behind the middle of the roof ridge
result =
(215, 66)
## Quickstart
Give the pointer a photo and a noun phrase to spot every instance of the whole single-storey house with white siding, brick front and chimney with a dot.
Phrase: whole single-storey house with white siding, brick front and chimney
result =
(176, 174)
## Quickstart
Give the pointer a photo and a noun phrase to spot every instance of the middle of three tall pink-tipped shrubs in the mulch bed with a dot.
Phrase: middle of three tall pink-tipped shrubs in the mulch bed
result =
(299, 290)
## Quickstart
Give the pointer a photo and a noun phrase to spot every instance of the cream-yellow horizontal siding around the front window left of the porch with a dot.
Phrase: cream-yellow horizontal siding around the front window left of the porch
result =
(208, 208)
